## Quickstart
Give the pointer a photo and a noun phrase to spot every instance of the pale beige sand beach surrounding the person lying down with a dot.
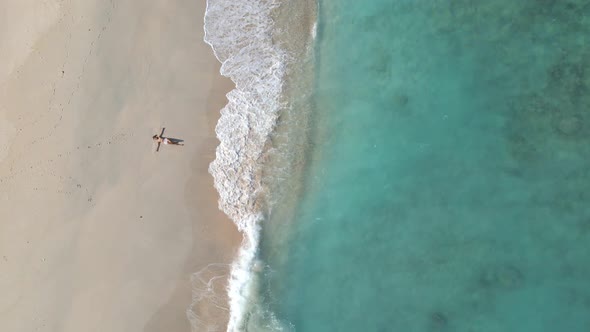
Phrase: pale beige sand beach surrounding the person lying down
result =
(97, 231)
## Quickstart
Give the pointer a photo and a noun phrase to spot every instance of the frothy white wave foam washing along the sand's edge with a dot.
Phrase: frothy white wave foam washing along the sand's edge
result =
(239, 32)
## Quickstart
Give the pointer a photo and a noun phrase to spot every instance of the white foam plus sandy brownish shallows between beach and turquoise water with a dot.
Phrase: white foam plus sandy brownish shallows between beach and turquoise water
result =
(259, 128)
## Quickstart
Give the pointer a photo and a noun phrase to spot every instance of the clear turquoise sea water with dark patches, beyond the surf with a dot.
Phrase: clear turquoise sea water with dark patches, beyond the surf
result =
(448, 184)
